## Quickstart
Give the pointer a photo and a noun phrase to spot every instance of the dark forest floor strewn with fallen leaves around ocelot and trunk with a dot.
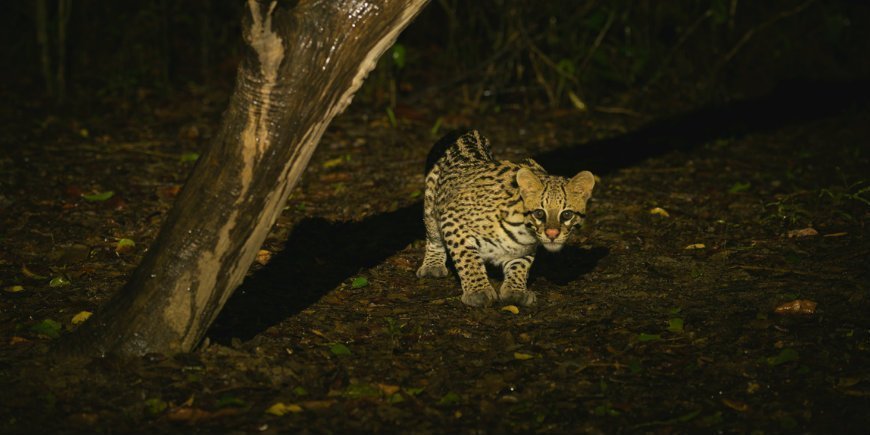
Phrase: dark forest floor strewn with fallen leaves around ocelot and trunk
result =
(719, 285)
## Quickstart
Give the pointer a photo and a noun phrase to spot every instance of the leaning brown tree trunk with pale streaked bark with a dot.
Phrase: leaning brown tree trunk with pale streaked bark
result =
(302, 65)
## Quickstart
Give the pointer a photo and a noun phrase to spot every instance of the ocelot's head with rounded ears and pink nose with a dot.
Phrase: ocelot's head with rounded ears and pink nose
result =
(554, 205)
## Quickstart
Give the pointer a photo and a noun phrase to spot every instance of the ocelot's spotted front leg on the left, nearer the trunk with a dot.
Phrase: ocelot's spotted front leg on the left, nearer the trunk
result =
(476, 289)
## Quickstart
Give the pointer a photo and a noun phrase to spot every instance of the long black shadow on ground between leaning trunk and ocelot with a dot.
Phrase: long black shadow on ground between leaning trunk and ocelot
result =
(318, 256)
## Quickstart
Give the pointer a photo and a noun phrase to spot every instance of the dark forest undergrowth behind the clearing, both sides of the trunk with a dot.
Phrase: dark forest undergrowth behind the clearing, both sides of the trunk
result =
(485, 53)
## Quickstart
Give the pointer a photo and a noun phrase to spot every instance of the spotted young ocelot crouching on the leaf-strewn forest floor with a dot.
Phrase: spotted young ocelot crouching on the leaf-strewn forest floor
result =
(481, 210)
